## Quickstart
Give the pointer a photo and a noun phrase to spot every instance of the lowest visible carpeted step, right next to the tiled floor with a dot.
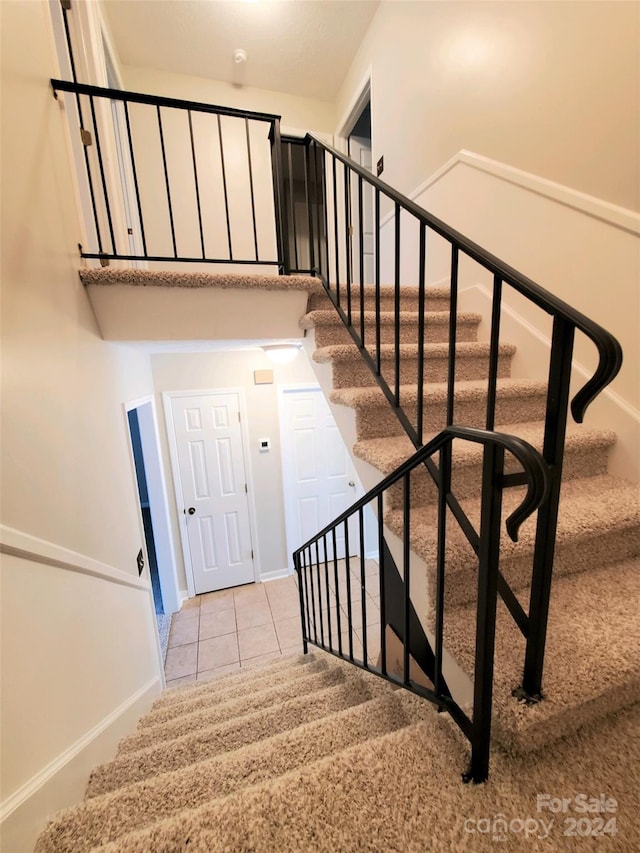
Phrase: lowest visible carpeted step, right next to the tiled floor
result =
(236, 683)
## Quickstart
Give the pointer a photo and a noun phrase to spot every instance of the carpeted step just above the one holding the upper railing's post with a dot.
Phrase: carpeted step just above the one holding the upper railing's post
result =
(598, 523)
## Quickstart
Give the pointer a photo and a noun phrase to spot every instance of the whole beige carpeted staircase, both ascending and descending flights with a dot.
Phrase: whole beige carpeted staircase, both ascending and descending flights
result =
(313, 754)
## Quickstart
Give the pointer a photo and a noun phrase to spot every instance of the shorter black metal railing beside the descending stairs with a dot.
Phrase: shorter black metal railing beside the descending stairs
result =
(335, 597)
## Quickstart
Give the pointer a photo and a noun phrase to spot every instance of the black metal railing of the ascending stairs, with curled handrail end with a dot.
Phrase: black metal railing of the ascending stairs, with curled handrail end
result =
(336, 194)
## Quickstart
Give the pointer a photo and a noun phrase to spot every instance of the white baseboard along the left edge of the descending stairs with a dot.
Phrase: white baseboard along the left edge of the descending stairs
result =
(62, 782)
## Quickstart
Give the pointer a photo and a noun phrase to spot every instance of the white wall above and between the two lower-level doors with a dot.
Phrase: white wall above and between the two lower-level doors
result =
(233, 369)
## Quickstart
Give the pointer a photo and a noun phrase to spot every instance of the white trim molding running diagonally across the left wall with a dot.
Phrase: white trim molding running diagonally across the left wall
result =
(30, 547)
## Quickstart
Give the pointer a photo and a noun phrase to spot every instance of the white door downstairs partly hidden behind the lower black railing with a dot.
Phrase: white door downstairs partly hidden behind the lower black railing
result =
(319, 477)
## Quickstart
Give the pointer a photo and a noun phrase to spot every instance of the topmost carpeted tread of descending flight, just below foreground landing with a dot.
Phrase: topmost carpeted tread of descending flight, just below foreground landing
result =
(104, 818)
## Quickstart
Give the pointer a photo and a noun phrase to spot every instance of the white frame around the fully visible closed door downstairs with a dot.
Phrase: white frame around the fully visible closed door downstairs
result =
(167, 397)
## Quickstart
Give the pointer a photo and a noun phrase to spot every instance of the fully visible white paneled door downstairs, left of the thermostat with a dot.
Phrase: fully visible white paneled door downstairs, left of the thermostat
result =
(209, 446)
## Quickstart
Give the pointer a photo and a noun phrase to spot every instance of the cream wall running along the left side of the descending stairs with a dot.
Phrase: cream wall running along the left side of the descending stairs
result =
(80, 660)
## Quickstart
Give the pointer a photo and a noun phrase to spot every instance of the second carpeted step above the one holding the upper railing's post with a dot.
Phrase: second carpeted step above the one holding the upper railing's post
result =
(586, 453)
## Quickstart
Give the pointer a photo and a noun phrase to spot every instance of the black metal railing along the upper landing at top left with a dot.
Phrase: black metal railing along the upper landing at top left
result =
(205, 182)
